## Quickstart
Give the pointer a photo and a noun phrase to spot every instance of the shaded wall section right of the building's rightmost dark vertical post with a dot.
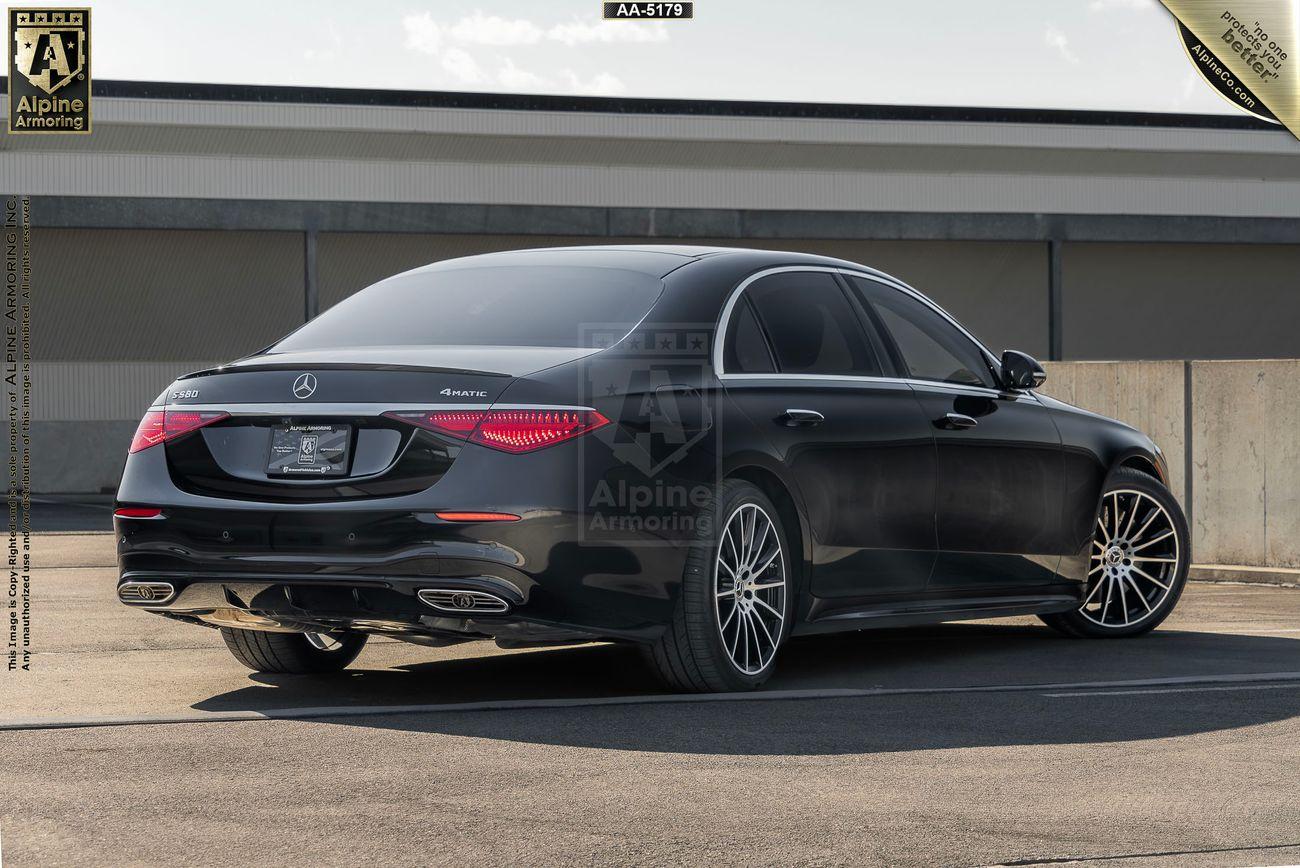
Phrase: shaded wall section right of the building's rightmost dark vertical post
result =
(1181, 301)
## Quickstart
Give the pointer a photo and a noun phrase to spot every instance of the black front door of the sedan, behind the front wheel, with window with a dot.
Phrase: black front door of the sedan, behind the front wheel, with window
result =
(1000, 463)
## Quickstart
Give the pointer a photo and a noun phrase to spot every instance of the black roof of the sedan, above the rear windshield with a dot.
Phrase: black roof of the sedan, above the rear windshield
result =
(656, 261)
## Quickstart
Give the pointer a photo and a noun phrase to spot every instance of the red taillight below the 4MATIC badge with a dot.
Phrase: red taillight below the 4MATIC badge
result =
(510, 431)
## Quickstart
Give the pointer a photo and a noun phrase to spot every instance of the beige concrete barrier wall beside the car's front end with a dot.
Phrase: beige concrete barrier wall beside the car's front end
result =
(1243, 423)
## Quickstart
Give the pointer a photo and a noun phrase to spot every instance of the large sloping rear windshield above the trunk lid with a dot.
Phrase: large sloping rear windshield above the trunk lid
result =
(505, 307)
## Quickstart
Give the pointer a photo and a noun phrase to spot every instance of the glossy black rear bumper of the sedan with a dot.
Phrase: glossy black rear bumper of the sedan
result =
(365, 561)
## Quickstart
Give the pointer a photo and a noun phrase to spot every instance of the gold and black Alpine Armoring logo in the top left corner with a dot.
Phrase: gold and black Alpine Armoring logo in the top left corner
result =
(50, 71)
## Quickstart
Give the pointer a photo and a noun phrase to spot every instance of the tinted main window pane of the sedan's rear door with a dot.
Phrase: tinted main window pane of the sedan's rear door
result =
(813, 328)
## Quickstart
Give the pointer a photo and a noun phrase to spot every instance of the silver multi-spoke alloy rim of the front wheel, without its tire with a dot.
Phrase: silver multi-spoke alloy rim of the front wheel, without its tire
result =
(1134, 561)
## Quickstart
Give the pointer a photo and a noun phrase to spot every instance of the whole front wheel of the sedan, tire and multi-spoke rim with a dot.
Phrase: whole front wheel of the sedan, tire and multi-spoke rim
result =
(1137, 565)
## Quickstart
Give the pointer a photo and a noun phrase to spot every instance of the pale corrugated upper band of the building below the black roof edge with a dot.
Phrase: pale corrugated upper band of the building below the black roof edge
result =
(687, 159)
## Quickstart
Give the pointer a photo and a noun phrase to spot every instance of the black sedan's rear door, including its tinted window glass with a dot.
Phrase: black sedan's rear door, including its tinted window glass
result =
(805, 371)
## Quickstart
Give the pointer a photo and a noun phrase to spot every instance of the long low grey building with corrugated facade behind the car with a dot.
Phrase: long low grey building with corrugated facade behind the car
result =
(283, 207)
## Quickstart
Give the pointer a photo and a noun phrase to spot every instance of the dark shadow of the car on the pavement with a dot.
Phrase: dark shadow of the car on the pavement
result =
(942, 658)
